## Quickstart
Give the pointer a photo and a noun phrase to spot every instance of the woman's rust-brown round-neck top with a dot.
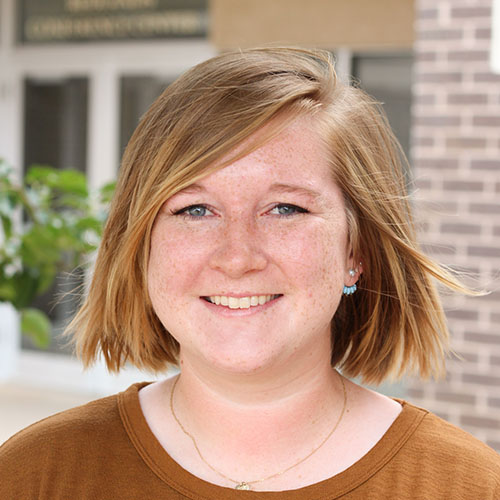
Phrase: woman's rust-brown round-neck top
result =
(105, 450)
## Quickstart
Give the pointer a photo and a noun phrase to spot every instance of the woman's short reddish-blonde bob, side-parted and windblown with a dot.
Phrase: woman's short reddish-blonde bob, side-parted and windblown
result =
(394, 324)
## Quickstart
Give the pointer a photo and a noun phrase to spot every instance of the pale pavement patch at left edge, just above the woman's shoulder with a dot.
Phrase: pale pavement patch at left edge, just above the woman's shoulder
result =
(21, 406)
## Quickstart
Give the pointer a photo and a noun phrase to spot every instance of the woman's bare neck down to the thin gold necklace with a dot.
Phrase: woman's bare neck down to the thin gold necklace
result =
(256, 421)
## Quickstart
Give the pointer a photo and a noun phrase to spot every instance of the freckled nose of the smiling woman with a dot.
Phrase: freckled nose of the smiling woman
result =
(239, 249)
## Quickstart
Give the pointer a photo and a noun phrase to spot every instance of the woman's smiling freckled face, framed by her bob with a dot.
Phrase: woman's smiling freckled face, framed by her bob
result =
(247, 266)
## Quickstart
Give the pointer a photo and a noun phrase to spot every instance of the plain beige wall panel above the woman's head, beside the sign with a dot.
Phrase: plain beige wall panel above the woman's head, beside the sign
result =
(357, 24)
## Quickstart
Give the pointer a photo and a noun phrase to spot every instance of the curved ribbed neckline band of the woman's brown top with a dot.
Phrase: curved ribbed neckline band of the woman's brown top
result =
(170, 472)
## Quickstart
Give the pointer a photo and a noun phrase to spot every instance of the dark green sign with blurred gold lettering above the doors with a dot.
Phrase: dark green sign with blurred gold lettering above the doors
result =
(51, 21)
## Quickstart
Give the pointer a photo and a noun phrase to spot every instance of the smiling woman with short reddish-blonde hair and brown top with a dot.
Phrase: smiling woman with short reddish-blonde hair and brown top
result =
(260, 239)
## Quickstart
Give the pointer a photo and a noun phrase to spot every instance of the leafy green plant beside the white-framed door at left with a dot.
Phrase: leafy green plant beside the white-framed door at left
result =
(50, 223)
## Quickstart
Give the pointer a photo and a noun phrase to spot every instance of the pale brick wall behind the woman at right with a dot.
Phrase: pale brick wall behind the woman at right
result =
(456, 157)
